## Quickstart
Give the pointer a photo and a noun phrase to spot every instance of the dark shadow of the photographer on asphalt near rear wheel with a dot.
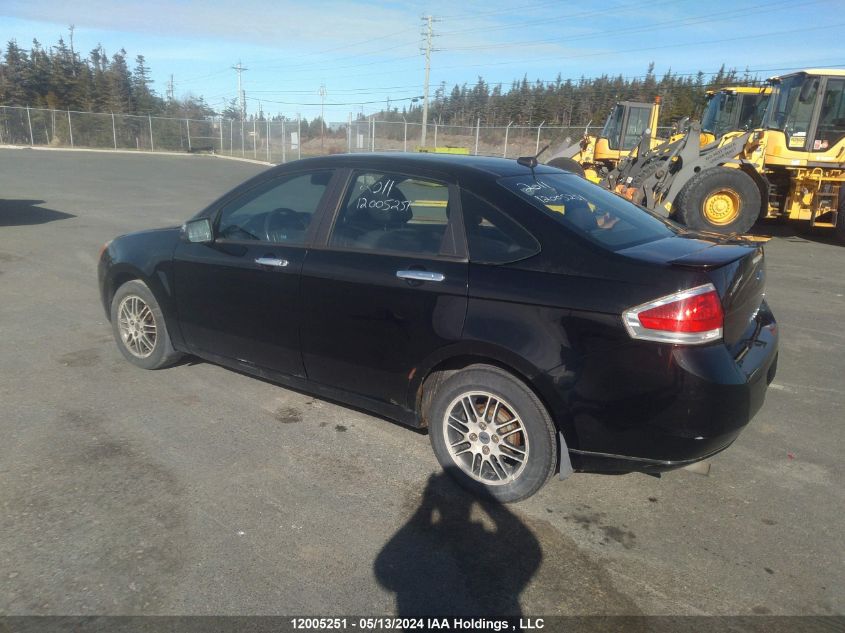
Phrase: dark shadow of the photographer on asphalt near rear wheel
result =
(449, 559)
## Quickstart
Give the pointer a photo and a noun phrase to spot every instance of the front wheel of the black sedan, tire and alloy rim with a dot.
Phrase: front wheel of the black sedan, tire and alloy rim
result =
(153, 349)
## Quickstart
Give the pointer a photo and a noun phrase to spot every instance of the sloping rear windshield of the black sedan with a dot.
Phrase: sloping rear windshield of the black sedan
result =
(588, 210)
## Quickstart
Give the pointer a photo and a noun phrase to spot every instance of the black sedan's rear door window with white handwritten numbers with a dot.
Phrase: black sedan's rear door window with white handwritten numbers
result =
(393, 212)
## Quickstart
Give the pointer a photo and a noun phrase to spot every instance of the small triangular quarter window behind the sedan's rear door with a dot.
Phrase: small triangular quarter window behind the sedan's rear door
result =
(493, 237)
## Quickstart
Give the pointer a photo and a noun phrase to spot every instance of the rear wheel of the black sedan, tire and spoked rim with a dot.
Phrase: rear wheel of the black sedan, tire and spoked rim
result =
(534, 433)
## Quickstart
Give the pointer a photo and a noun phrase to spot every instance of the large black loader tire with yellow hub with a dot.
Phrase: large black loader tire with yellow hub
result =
(697, 207)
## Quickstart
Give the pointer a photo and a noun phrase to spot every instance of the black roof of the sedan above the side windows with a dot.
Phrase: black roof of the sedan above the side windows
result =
(447, 164)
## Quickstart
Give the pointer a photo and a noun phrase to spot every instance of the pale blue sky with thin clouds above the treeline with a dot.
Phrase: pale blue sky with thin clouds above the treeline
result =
(367, 52)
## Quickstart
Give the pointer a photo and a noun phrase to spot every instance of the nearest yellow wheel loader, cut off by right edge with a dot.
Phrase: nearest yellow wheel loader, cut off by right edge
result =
(792, 167)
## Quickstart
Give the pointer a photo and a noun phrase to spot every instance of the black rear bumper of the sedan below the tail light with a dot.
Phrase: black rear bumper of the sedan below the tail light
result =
(666, 407)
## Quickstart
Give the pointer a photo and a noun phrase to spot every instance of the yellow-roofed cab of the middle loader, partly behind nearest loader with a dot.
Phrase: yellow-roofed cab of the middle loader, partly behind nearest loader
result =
(733, 108)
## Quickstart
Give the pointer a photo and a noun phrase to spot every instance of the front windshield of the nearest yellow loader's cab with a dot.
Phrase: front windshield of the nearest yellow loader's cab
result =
(791, 108)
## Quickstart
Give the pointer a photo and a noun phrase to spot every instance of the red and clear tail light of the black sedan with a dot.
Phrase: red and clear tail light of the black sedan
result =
(689, 317)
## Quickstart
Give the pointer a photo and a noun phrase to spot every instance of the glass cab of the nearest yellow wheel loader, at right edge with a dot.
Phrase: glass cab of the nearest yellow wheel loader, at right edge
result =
(807, 115)
